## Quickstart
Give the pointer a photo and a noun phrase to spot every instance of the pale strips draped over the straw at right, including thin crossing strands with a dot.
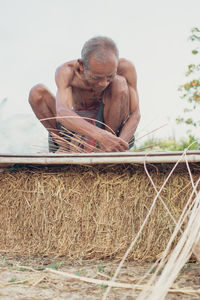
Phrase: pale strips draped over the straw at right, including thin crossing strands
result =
(179, 256)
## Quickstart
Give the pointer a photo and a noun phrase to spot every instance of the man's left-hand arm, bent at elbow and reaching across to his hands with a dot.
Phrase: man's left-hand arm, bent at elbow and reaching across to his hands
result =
(73, 121)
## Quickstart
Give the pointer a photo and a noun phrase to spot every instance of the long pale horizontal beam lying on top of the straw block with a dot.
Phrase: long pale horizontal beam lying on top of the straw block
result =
(99, 158)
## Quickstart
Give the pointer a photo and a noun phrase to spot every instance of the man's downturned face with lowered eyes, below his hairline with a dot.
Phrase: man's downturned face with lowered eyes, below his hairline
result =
(99, 75)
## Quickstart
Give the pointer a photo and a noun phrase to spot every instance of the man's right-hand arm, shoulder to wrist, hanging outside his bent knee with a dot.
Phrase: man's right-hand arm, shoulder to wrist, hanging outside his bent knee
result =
(127, 69)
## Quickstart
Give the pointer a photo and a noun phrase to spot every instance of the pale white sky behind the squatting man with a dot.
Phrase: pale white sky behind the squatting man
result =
(38, 35)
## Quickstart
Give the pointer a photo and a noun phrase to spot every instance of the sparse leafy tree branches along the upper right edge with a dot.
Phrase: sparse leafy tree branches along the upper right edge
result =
(190, 91)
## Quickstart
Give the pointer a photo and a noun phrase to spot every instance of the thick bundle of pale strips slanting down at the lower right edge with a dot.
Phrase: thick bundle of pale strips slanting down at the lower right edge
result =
(182, 251)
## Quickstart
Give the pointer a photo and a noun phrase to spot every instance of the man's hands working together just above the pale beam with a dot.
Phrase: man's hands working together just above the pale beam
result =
(111, 143)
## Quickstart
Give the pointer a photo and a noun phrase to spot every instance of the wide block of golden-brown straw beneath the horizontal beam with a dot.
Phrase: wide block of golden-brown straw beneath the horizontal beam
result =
(84, 212)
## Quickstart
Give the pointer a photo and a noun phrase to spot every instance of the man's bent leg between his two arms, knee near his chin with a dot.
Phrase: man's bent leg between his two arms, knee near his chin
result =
(116, 101)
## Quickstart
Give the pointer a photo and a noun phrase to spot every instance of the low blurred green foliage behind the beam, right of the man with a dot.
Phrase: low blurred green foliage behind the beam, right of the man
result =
(170, 144)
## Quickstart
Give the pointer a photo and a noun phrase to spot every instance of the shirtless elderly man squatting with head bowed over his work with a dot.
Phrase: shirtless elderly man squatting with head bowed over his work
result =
(99, 82)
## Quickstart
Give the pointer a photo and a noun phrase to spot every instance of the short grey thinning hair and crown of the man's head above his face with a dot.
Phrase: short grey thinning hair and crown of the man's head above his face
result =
(100, 48)
